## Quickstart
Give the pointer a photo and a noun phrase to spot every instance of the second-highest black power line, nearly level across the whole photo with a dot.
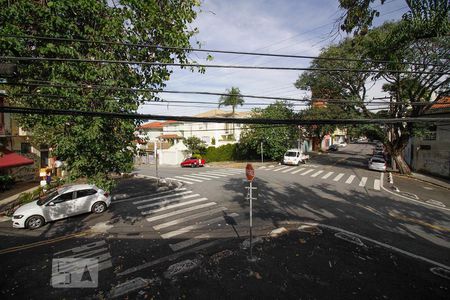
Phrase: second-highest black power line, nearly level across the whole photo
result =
(146, 63)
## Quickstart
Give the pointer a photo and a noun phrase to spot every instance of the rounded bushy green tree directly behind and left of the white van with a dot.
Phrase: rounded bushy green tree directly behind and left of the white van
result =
(276, 139)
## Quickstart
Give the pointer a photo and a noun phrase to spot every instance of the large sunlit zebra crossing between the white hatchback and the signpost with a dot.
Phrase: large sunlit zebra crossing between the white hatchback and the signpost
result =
(179, 213)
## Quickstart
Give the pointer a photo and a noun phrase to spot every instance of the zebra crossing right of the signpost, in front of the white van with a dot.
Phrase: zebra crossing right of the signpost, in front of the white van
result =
(314, 172)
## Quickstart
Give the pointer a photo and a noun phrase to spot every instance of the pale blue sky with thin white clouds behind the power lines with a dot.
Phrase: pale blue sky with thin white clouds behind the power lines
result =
(282, 26)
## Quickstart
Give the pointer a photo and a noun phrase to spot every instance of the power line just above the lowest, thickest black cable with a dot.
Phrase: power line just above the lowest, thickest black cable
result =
(115, 88)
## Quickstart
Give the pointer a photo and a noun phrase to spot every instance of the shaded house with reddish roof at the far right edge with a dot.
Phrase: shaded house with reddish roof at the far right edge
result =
(430, 153)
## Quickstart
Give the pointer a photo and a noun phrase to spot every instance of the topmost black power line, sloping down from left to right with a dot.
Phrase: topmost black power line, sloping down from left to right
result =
(152, 46)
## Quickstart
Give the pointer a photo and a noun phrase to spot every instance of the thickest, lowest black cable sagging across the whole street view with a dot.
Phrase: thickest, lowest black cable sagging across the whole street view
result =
(131, 116)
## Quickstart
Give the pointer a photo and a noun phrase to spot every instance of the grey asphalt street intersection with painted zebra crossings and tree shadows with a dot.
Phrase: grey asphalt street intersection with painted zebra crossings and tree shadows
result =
(205, 208)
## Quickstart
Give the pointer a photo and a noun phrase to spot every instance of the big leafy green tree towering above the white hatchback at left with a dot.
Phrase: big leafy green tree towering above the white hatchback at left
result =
(91, 146)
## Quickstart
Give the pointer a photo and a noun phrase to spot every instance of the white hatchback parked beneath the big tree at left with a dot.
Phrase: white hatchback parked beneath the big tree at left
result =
(62, 203)
